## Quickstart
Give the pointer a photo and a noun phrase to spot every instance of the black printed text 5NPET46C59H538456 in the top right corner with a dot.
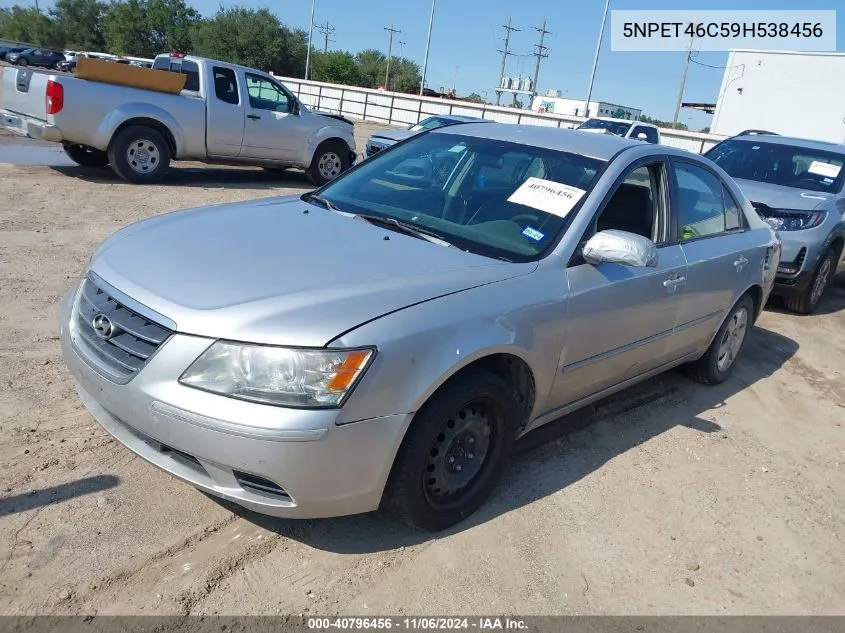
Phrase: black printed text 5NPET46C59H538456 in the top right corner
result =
(721, 29)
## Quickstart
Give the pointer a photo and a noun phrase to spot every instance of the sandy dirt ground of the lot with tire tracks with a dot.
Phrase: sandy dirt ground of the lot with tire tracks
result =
(670, 498)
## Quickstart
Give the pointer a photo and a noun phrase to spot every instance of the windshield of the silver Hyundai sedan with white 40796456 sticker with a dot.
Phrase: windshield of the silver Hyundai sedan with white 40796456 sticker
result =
(458, 188)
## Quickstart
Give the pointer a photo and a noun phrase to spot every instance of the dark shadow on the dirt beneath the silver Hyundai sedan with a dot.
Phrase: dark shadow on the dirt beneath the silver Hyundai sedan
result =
(560, 453)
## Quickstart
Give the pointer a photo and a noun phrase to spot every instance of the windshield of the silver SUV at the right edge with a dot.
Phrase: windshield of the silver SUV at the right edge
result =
(780, 164)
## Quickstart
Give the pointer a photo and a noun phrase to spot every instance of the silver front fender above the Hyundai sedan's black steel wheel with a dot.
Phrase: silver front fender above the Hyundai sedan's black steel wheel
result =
(421, 347)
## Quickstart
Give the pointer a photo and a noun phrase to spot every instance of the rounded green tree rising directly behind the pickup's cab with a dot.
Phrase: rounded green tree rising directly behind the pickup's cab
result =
(253, 38)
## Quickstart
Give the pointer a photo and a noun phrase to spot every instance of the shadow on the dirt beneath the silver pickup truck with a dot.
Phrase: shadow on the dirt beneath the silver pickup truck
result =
(206, 177)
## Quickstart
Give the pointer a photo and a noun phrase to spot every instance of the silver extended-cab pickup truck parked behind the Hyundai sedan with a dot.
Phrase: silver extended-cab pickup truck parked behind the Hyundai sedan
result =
(225, 114)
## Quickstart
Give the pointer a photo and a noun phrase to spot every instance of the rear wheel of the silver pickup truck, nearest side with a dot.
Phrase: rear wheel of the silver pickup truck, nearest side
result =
(139, 154)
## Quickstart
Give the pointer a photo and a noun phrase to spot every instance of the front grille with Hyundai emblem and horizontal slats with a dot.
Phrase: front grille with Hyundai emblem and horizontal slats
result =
(125, 340)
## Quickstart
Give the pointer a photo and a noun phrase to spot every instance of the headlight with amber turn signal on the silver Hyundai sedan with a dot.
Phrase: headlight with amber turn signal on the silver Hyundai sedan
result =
(283, 376)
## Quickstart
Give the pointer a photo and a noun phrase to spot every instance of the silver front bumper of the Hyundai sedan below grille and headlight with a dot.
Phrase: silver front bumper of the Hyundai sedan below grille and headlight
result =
(285, 462)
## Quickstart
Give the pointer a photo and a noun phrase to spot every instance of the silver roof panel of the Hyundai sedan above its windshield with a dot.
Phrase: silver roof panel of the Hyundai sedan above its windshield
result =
(600, 146)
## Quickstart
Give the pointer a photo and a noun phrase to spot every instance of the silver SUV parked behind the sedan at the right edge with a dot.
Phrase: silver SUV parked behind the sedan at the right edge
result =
(797, 186)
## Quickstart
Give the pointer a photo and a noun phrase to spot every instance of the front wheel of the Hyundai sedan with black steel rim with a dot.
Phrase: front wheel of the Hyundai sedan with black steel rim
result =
(454, 452)
